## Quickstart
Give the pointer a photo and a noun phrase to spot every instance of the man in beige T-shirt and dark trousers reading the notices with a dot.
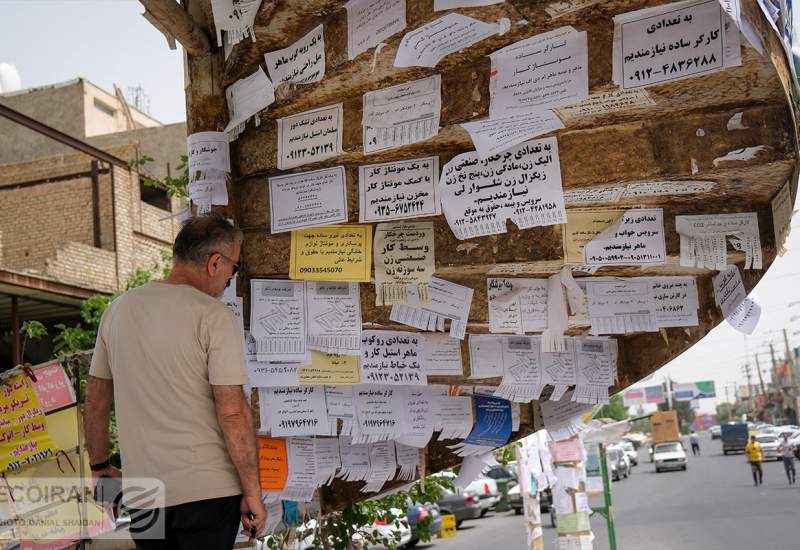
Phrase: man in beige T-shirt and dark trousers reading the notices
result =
(169, 355)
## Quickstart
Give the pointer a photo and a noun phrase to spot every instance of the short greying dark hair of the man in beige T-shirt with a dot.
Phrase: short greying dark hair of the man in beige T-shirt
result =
(201, 236)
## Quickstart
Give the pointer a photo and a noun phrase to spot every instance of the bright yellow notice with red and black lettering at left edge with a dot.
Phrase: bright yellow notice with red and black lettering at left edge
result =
(23, 431)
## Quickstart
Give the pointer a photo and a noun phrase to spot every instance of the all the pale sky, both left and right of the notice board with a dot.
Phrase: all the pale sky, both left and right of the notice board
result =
(108, 42)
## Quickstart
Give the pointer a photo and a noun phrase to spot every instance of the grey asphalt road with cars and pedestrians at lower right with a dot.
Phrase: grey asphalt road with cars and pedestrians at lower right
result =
(711, 506)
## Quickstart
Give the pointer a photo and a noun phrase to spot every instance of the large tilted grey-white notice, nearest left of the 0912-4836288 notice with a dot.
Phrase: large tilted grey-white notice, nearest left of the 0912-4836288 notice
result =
(541, 72)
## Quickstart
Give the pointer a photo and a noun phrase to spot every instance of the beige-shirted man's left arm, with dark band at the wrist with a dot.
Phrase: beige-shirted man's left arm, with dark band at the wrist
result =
(97, 412)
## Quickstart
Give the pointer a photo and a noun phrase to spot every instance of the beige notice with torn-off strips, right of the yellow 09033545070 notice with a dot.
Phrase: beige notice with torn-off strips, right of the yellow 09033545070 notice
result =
(404, 254)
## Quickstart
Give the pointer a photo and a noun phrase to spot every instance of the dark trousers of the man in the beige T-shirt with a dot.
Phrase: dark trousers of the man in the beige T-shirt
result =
(204, 524)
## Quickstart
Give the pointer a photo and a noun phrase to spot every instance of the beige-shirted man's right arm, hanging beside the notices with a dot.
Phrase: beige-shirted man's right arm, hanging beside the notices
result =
(236, 421)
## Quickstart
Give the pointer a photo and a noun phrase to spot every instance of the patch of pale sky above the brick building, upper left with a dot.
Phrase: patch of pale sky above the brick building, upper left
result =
(105, 41)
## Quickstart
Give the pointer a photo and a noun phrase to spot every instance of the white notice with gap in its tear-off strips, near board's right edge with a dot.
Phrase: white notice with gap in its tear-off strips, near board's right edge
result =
(704, 244)
